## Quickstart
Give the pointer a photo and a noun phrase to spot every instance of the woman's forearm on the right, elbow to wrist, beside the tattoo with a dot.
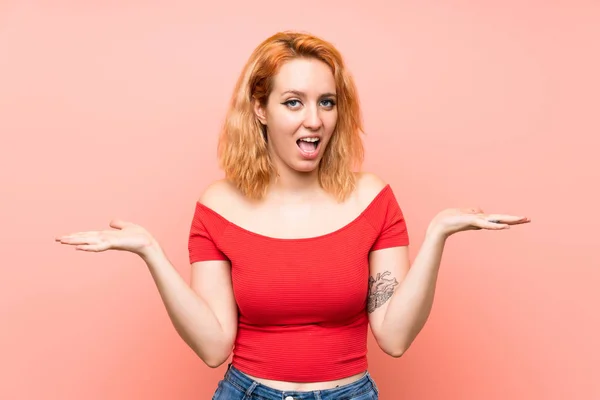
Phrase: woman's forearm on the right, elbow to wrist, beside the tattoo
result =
(411, 303)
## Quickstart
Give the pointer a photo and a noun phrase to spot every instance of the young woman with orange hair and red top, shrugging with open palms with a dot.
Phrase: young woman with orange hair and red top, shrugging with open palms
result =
(294, 254)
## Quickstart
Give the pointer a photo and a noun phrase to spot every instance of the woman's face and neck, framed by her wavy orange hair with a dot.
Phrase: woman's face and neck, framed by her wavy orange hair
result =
(302, 103)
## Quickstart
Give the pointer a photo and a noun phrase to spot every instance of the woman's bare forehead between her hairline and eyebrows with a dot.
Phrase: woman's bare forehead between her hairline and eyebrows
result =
(306, 75)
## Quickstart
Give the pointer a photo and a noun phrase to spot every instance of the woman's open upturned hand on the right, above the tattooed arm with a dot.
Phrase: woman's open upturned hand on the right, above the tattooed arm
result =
(453, 220)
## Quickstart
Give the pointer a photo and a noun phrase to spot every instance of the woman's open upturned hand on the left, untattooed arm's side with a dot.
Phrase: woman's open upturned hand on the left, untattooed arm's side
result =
(125, 236)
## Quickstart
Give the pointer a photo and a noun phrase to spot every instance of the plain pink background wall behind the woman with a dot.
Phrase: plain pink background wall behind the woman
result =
(112, 109)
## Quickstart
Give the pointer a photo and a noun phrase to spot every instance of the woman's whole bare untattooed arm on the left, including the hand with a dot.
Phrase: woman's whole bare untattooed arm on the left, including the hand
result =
(204, 312)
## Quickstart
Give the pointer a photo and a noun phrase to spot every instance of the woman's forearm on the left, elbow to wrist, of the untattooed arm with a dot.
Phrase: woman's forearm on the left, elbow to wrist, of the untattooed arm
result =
(191, 316)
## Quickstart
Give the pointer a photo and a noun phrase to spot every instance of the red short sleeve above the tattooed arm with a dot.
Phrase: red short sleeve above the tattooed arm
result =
(393, 231)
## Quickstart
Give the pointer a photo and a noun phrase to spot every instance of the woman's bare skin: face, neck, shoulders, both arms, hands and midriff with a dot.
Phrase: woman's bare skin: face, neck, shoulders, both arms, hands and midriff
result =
(204, 312)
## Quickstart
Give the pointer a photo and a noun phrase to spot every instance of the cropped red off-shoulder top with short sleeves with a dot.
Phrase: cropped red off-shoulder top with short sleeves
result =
(301, 302)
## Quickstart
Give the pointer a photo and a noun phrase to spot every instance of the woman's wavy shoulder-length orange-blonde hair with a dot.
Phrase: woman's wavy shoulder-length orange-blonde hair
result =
(242, 148)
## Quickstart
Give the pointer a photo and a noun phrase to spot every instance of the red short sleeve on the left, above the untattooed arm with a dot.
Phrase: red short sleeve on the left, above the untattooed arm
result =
(201, 245)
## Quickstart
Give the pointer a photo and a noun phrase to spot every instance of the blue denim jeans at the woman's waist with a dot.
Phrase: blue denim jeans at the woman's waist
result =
(237, 386)
